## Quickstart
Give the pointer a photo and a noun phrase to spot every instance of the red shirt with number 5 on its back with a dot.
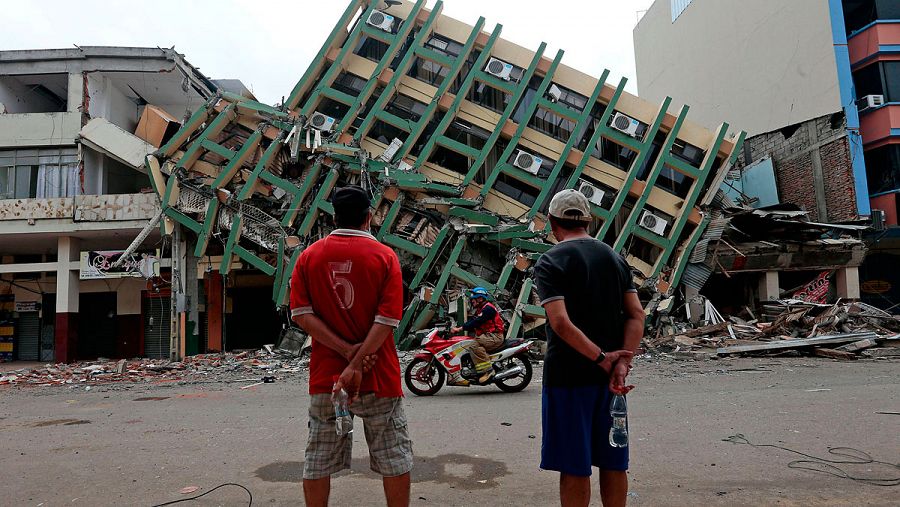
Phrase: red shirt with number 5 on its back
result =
(350, 281)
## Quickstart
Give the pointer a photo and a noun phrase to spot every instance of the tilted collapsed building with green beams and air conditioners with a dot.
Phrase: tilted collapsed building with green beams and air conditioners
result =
(461, 138)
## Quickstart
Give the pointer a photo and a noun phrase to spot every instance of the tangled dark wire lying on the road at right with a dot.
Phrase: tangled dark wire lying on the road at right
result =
(816, 464)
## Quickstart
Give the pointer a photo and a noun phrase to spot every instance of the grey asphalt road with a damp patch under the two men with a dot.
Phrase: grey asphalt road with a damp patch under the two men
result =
(141, 444)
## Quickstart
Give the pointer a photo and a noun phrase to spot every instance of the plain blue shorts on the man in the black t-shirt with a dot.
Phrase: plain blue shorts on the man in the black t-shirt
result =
(576, 423)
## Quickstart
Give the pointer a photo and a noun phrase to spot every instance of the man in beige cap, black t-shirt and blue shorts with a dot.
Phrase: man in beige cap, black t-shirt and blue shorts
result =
(595, 323)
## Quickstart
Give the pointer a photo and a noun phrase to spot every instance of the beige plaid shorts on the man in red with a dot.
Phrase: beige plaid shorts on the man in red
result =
(390, 449)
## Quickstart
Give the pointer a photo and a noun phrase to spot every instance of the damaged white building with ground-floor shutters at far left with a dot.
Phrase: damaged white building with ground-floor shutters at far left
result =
(74, 192)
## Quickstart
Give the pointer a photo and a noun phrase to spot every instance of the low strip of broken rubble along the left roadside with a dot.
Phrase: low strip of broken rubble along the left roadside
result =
(215, 367)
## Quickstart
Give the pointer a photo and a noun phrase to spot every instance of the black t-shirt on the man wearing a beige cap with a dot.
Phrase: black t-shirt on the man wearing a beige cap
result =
(592, 279)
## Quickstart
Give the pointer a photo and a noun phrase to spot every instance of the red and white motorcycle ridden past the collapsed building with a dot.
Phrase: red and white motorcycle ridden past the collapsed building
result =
(449, 360)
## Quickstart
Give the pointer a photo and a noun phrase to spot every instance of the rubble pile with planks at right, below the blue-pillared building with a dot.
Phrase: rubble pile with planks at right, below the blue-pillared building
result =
(839, 331)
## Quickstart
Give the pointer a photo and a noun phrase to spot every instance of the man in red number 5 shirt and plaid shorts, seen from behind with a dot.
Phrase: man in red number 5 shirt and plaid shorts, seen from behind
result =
(347, 293)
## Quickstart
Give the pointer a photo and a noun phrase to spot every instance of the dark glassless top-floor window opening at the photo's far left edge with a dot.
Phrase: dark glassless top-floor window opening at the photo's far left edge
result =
(34, 93)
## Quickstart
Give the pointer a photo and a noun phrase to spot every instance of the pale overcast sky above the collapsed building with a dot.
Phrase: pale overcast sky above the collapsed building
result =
(268, 44)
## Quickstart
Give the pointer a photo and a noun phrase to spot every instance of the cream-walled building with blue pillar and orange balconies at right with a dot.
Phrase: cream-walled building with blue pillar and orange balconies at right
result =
(816, 83)
